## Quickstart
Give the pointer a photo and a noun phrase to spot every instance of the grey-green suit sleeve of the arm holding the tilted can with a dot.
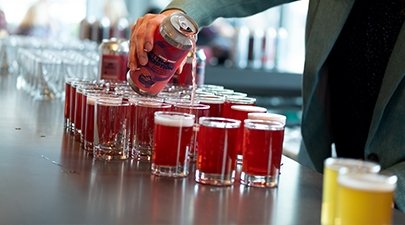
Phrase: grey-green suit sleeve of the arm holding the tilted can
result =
(204, 12)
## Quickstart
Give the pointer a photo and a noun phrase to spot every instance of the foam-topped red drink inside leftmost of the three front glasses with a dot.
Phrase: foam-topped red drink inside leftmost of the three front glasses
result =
(172, 138)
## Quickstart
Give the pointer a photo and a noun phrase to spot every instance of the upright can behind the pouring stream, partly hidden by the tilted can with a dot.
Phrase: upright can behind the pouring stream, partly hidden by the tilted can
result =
(185, 77)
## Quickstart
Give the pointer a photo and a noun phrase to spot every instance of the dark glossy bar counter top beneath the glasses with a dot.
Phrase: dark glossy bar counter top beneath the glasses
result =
(45, 178)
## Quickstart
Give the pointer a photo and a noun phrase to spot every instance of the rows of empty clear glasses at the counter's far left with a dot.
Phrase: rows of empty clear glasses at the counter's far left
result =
(44, 65)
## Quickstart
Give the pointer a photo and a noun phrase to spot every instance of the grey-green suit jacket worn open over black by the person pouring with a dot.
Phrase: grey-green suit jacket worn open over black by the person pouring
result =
(325, 19)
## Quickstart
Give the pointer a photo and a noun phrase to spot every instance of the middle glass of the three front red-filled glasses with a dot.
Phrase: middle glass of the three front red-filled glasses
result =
(216, 156)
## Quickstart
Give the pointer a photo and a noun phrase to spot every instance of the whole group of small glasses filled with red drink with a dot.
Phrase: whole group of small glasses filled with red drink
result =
(113, 122)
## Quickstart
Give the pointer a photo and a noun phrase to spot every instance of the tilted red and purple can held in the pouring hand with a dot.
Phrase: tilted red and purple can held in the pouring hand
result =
(172, 42)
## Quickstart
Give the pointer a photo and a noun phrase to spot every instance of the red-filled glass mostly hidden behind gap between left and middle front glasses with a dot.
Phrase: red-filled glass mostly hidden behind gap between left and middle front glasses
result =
(199, 110)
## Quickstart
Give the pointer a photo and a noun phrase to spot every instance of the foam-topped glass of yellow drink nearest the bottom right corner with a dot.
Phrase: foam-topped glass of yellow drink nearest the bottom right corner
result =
(365, 199)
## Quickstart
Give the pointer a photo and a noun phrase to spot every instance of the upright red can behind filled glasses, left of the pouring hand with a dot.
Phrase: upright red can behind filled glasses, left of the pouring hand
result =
(113, 59)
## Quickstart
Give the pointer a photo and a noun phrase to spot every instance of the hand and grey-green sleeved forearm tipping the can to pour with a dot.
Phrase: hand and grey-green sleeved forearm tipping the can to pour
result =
(203, 12)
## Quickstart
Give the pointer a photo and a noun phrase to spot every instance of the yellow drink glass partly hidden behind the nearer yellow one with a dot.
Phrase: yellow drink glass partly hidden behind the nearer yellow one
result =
(330, 175)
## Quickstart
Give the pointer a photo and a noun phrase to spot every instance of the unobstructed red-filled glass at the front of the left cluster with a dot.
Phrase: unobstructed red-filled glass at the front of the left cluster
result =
(111, 132)
